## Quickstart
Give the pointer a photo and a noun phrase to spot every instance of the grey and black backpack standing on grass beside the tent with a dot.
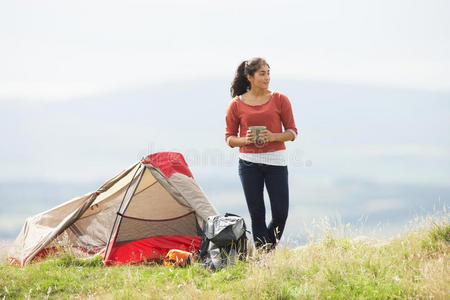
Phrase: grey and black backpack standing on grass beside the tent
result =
(224, 241)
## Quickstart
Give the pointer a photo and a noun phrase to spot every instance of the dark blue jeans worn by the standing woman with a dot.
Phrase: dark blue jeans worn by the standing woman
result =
(253, 177)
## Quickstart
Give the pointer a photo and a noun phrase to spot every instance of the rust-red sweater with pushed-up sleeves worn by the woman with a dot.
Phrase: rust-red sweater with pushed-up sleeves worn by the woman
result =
(272, 114)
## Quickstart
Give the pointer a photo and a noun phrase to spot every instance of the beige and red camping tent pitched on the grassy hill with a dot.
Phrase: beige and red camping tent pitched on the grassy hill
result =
(138, 215)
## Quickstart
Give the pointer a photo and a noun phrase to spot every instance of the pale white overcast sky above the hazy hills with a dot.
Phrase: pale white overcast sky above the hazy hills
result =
(56, 50)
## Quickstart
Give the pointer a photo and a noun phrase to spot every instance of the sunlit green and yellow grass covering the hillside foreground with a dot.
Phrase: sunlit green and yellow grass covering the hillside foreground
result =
(414, 266)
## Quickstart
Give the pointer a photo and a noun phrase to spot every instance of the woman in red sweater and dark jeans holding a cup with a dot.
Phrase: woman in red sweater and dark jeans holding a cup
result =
(262, 159)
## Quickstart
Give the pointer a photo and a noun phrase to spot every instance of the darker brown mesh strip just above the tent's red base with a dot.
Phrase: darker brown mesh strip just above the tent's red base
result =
(132, 229)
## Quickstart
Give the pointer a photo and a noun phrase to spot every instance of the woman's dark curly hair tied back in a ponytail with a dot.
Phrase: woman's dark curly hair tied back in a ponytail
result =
(240, 83)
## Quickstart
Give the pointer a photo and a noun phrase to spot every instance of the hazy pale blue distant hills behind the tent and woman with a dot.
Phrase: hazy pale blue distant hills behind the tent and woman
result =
(365, 153)
